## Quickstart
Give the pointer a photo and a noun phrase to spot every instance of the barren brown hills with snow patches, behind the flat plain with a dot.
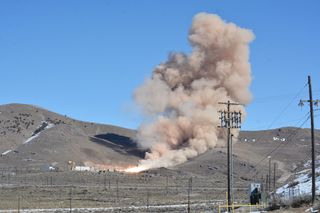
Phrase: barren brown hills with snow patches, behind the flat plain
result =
(31, 137)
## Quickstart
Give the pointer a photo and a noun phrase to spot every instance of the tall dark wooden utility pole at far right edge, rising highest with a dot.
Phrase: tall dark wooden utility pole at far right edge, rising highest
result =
(313, 169)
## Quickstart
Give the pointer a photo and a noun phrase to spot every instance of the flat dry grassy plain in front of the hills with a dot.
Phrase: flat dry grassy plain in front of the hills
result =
(30, 190)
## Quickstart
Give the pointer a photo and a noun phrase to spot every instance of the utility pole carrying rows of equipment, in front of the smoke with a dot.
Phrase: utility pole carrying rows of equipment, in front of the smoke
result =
(229, 120)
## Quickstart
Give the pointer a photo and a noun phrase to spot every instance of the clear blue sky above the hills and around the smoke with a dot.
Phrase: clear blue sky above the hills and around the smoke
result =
(85, 58)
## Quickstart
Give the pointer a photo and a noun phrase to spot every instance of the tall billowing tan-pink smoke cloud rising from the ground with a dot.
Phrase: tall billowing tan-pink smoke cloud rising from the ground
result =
(182, 94)
